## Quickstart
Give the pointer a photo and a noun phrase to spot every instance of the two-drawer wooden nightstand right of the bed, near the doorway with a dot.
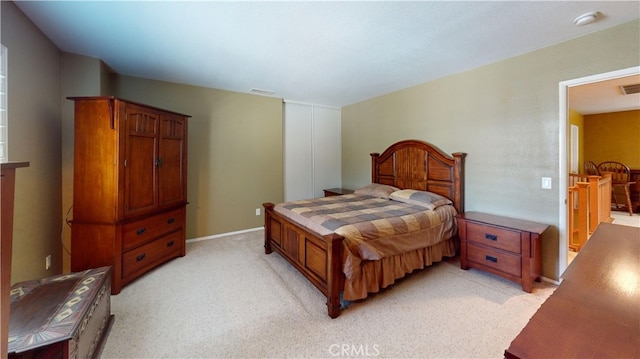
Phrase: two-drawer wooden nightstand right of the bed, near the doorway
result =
(510, 248)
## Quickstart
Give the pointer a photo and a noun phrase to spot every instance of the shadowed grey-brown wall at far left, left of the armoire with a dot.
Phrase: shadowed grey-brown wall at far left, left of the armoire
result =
(34, 136)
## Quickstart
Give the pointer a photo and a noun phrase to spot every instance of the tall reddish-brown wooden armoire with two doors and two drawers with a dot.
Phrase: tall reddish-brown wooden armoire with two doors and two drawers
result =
(129, 187)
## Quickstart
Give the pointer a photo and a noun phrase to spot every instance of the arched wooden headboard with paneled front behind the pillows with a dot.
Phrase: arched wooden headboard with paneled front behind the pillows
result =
(414, 164)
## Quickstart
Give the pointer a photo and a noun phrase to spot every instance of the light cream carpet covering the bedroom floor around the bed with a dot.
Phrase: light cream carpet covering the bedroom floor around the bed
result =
(228, 299)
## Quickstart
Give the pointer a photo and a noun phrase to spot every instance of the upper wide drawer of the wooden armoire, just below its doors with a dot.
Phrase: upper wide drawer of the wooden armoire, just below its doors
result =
(144, 230)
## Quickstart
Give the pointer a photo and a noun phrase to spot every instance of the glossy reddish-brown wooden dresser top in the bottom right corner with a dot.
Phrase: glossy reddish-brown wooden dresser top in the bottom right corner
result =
(594, 313)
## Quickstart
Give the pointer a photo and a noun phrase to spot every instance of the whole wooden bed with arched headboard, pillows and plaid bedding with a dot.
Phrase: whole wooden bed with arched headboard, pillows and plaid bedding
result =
(320, 246)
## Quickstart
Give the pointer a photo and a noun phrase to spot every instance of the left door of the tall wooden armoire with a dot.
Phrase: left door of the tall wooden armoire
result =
(140, 160)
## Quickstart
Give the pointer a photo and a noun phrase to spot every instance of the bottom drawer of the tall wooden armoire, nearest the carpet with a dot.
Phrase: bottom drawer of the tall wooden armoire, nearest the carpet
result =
(138, 260)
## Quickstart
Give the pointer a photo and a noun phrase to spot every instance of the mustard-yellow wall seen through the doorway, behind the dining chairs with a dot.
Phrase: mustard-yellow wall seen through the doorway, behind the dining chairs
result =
(613, 137)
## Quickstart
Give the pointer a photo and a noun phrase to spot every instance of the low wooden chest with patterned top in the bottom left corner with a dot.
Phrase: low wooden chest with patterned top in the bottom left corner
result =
(66, 316)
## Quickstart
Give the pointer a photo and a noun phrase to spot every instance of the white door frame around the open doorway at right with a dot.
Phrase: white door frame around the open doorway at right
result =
(563, 177)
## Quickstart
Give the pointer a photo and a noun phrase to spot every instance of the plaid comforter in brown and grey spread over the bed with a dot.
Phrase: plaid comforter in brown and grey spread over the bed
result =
(373, 227)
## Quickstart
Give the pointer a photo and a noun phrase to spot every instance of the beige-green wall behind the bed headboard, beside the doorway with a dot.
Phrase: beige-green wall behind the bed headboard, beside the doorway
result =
(505, 116)
